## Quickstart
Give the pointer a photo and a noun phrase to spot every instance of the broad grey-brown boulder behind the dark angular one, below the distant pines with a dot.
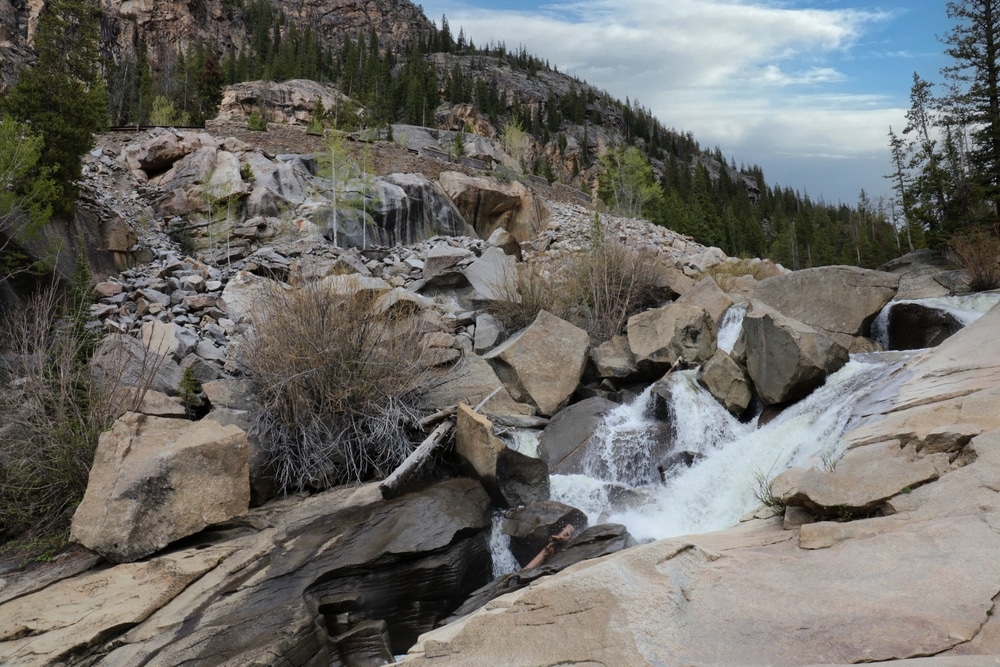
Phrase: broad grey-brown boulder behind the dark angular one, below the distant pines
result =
(838, 301)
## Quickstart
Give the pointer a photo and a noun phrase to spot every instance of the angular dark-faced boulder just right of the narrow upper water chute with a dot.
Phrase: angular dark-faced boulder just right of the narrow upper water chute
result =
(787, 359)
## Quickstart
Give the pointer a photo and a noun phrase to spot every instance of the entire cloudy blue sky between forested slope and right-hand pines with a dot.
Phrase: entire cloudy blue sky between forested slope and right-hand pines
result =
(807, 89)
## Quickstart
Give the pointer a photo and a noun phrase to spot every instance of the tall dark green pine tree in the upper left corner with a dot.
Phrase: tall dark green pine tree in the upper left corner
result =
(63, 95)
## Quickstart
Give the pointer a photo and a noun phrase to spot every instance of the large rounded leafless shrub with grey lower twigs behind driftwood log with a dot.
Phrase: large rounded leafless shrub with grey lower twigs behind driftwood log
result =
(338, 384)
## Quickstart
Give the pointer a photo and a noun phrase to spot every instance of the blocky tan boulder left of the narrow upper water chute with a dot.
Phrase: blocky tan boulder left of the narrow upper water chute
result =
(661, 336)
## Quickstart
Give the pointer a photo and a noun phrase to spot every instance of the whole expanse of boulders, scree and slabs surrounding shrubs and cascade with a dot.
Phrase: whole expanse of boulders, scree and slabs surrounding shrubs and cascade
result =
(888, 555)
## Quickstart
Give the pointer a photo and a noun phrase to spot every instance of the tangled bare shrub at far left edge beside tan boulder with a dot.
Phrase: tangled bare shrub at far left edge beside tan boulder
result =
(52, 412)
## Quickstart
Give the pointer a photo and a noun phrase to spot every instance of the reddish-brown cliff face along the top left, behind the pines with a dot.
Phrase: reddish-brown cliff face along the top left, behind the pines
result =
(168, 25)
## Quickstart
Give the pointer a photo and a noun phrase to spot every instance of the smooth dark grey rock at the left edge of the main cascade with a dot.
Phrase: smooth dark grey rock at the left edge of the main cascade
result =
(563, 443)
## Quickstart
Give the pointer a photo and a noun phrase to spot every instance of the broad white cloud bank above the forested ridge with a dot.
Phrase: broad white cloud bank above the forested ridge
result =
(757, 78)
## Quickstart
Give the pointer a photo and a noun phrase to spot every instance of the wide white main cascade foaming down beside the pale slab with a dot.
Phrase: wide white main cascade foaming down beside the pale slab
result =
(718, 488)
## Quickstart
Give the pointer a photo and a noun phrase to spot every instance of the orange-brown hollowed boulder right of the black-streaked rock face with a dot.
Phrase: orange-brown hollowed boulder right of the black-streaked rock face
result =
(487, 204)
